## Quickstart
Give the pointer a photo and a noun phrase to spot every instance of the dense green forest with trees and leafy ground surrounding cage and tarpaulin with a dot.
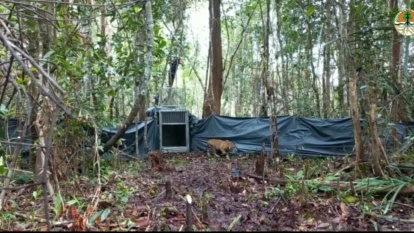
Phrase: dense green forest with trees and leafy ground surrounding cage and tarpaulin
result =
(72, 67)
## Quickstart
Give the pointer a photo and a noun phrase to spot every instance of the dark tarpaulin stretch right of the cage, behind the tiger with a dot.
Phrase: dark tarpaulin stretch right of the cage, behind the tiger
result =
(302, 136)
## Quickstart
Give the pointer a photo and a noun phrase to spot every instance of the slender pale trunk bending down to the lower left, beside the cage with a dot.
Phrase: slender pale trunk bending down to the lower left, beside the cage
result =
(139, 103)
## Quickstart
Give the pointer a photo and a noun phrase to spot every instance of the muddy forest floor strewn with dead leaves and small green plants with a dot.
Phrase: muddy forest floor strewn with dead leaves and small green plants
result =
(226, 195)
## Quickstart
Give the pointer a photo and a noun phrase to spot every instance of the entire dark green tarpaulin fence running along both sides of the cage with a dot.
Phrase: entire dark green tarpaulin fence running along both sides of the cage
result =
(297, 135)
